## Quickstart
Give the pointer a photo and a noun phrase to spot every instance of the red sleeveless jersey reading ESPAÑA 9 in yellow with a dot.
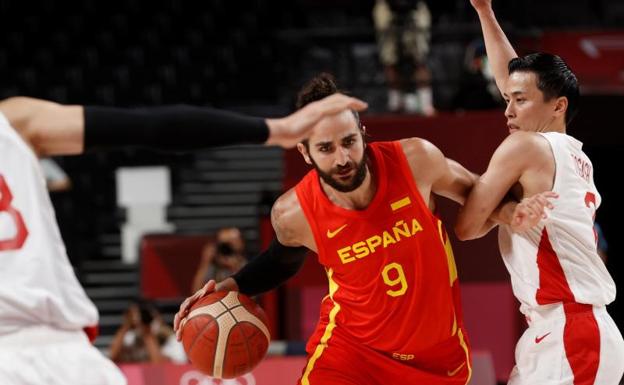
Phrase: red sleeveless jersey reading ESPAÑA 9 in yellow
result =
(392, 276)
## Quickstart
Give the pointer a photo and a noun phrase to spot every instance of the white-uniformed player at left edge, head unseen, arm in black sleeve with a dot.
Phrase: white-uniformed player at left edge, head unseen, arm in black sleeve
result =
(43, 308)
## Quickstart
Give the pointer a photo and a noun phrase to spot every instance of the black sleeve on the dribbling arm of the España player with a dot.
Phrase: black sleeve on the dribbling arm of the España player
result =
(270, 269)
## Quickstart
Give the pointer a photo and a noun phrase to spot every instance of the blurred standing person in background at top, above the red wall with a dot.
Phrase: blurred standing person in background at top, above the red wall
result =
(403, 29)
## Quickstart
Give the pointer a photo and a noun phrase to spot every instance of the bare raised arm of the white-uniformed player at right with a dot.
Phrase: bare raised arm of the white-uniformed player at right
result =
(499, 49)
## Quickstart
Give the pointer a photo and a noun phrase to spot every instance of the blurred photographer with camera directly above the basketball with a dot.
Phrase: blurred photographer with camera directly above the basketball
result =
(221, 258)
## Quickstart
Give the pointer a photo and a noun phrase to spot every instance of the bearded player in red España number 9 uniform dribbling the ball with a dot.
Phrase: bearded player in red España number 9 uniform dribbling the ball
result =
(392, 315)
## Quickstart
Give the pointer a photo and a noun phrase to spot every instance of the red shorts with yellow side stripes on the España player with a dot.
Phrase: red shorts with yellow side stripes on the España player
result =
(343, 362)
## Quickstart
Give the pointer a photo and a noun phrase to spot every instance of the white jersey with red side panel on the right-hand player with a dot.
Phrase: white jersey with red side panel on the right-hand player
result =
(558, 261)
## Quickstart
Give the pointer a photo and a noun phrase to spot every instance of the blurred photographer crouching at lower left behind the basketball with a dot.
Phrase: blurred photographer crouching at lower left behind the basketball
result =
(145, 337)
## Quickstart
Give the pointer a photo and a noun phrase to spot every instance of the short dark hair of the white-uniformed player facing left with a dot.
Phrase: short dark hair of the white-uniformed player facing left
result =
(554, 78)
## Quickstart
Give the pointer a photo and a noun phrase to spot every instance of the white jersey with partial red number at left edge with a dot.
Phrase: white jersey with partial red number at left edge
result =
(37, 282)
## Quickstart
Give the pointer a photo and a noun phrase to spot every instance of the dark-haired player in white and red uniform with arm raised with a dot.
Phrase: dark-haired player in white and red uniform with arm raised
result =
(556, 272)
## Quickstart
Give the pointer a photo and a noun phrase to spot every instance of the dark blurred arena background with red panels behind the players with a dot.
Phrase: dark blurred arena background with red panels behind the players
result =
(252, 57)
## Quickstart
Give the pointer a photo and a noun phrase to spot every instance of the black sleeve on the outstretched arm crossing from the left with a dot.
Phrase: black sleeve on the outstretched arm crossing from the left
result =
(175, 128)
